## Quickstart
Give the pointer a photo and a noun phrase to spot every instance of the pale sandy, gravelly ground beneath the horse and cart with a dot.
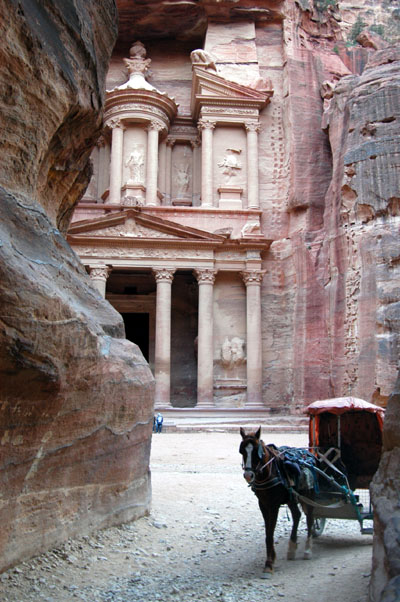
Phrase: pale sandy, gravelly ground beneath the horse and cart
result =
(204, 540)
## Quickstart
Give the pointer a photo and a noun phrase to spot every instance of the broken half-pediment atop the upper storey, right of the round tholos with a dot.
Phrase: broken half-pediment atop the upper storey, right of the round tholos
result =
(208, 88)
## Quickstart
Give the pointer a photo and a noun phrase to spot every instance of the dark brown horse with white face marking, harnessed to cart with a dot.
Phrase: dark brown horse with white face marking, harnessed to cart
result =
(265, 473)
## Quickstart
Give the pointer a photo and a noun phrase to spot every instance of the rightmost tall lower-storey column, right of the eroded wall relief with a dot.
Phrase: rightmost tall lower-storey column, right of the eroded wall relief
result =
(252, 280)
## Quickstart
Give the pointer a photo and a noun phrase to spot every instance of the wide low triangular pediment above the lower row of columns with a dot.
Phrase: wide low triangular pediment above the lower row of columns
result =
(135, 224)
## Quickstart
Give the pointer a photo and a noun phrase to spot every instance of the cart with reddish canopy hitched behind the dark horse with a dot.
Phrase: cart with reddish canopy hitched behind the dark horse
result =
(345, 435)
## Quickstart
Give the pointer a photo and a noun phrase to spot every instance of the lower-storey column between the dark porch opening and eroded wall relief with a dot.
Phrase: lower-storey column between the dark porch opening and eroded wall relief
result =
(205, 338)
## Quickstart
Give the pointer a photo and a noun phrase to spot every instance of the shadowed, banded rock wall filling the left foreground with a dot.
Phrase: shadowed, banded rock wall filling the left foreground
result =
(75, 396)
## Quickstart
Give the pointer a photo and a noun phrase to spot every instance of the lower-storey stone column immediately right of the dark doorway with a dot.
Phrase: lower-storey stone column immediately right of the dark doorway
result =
(162, 360)
